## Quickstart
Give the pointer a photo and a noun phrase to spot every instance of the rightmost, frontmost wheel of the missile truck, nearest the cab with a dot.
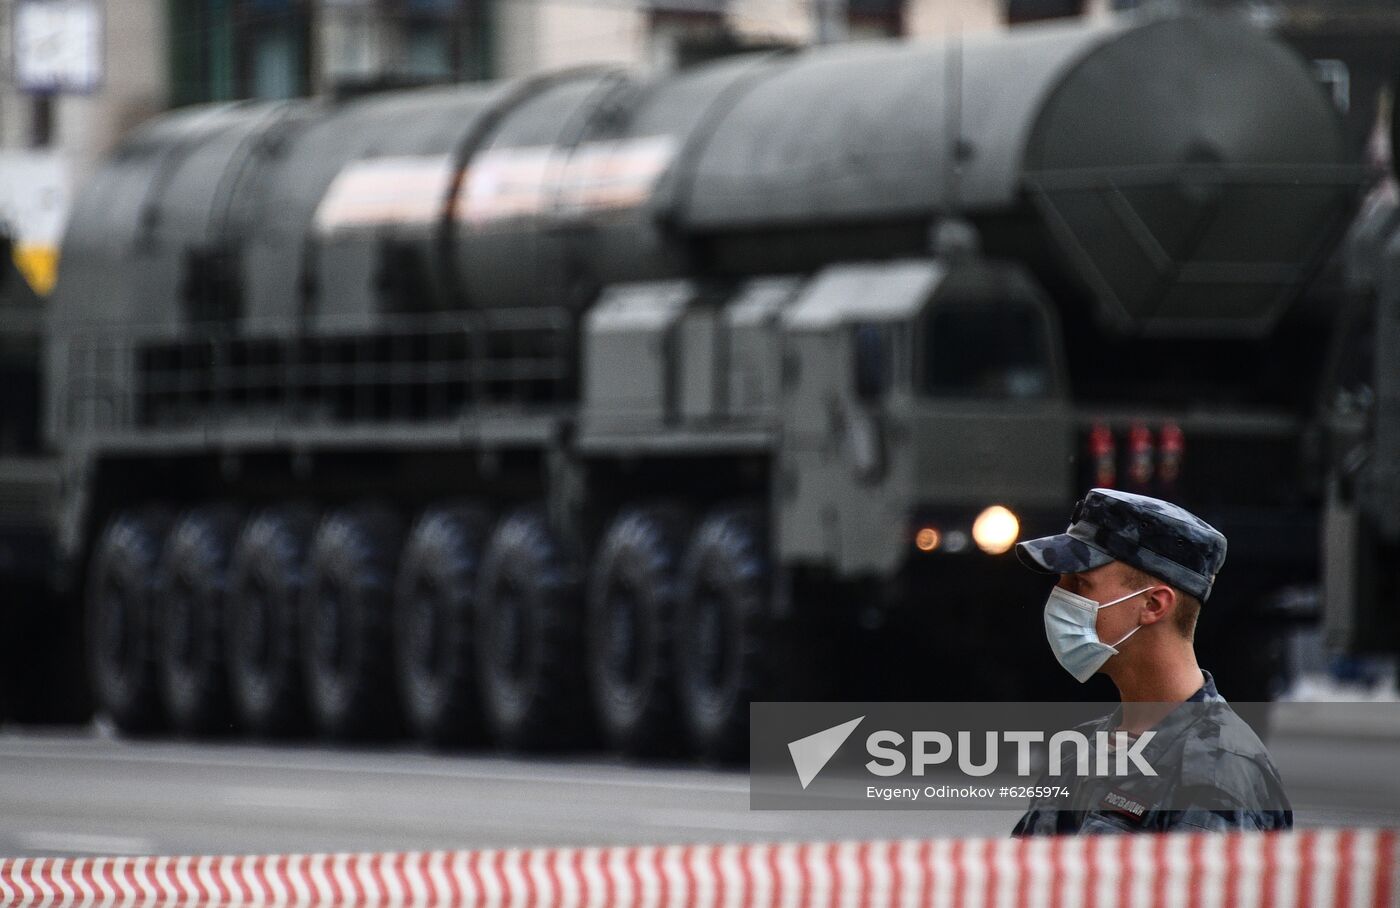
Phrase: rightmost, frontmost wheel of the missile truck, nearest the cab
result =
(722, 630)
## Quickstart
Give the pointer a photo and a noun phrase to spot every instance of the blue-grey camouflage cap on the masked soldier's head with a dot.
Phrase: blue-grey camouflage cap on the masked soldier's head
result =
(1153, 535)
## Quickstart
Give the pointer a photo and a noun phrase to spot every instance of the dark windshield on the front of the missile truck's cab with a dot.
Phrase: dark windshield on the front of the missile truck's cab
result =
(986, 350)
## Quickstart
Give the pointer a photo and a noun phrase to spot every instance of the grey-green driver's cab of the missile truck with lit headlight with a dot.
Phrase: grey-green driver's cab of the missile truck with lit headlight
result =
(919, 395)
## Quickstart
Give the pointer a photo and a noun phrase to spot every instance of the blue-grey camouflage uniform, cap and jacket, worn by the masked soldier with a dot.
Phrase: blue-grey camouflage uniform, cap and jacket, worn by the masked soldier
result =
(1213, 770)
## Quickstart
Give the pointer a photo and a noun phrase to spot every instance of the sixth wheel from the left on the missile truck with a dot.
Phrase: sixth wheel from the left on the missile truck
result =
(530, 643)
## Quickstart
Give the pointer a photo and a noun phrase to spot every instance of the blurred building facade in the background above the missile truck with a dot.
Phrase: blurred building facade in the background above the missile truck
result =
(155, 55)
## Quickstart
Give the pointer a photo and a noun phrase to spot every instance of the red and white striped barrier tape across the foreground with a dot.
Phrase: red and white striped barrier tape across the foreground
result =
(1346, 868)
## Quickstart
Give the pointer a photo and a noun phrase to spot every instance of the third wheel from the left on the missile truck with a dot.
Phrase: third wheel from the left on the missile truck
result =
(267, 579)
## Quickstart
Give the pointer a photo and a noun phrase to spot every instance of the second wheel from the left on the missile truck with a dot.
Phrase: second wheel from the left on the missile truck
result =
(190, 620)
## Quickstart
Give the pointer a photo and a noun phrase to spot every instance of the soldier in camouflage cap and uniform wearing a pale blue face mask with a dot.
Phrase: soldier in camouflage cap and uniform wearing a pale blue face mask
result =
(1135, 572)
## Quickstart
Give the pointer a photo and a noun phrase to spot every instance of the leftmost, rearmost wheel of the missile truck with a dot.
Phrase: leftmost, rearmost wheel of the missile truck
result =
(121, 646)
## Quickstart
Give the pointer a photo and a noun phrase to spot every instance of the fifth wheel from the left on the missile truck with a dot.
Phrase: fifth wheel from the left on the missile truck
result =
(433, 618)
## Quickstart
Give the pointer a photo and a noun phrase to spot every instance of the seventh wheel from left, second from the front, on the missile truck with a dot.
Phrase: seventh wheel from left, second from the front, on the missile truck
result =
(631, 613)
